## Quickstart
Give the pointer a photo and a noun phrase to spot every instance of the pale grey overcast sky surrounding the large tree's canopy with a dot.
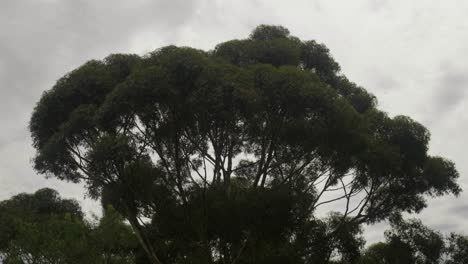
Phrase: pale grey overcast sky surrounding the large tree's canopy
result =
(410, 54)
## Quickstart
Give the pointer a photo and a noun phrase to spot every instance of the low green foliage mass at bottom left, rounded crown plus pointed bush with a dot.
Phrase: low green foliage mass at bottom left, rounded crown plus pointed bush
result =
(42, 228)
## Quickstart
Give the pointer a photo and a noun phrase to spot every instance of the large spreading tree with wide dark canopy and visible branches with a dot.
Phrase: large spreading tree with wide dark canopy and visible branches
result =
(229, 153)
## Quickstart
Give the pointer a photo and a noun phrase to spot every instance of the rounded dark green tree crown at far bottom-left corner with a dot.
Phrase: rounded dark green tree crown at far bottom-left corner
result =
(42, 228)
